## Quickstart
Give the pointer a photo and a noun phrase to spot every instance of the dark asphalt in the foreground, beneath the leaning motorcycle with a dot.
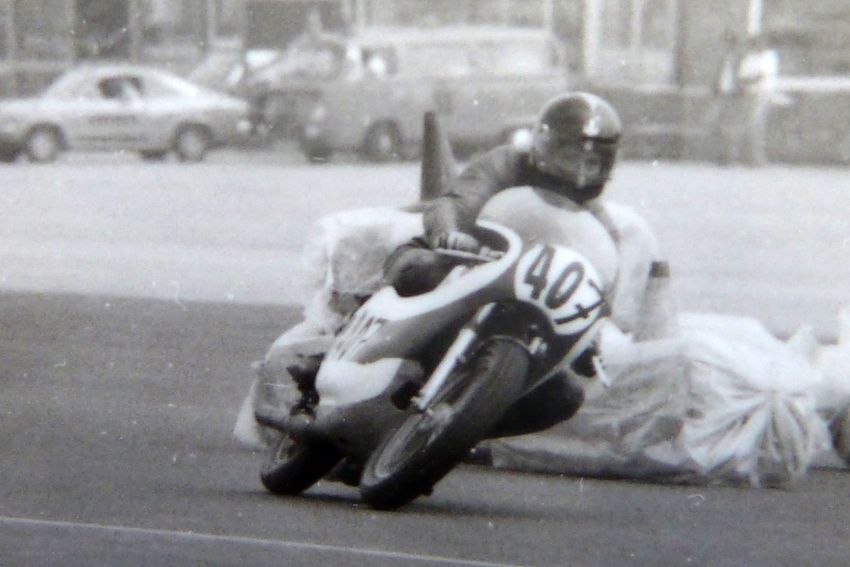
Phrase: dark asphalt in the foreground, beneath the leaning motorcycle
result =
(115, 421)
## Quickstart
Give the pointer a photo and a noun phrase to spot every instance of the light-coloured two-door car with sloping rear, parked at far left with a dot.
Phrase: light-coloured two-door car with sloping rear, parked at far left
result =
(121, 107)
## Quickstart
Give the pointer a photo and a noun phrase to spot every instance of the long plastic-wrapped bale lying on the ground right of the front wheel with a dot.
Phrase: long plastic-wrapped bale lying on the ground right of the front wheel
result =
(724, 402)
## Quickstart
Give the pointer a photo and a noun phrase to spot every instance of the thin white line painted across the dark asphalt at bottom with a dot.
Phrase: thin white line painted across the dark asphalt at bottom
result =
(283, 544)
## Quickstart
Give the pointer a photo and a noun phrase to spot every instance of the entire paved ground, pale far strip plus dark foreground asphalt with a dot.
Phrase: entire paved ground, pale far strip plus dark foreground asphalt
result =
(116, 413)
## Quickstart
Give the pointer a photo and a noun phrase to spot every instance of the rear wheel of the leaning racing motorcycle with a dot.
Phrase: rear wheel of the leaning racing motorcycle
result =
(293, 466)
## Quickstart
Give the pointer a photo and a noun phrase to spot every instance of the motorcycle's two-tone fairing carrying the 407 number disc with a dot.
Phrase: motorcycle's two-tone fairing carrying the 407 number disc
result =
(557, 281)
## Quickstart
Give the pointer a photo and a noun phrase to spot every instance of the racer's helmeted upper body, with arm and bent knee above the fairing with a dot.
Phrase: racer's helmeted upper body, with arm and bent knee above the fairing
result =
(573, 151)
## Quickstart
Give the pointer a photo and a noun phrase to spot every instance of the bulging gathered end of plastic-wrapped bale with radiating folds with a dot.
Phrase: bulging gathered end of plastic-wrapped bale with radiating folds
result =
(752, 412)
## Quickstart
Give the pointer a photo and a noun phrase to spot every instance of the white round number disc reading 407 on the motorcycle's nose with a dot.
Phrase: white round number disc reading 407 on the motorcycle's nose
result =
(563, 284)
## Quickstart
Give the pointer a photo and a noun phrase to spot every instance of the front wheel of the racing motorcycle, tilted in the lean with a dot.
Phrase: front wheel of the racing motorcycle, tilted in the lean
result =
(414, 457)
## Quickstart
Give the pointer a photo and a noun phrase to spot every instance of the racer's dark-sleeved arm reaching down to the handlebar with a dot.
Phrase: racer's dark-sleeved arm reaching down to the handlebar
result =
(458, 209)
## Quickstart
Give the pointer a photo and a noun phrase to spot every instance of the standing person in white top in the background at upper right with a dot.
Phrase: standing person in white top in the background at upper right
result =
(757, 73)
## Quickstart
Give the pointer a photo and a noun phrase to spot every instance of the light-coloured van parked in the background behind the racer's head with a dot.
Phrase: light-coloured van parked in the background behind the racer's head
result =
(484, 82)
